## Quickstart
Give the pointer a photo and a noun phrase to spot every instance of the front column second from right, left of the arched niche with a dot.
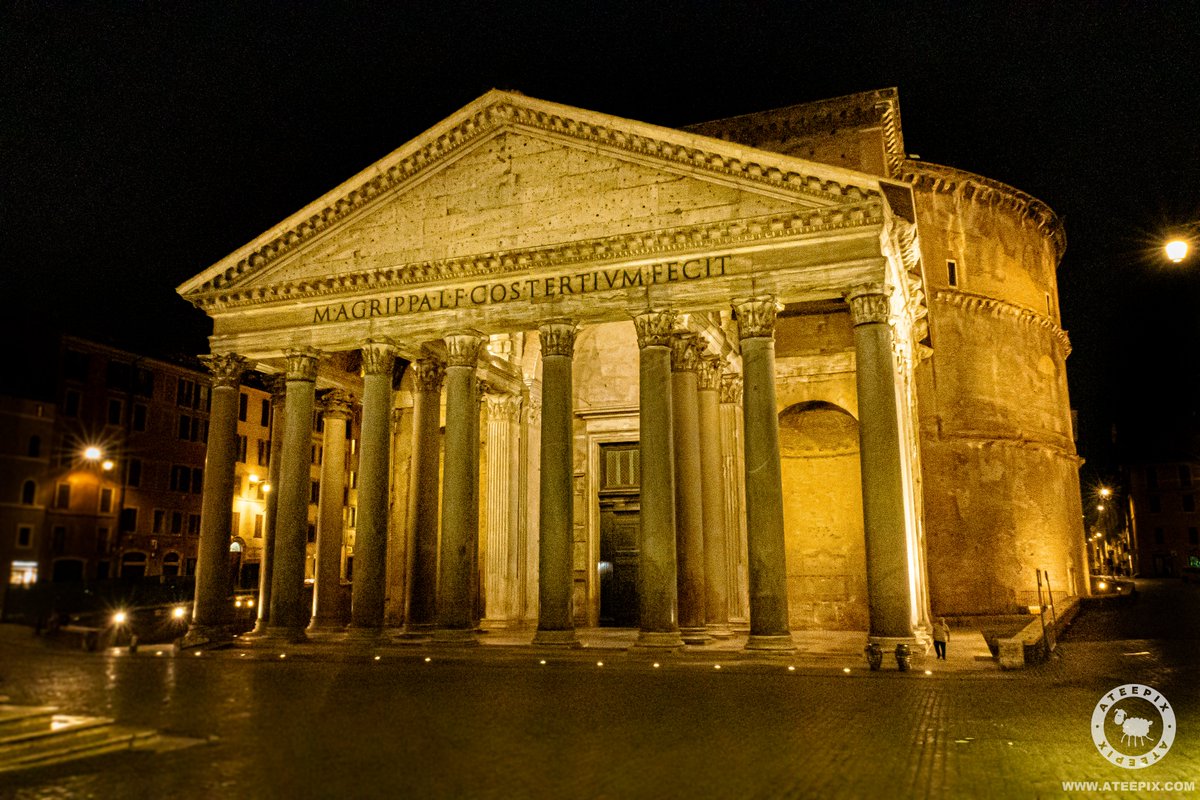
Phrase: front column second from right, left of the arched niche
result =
(765, 485)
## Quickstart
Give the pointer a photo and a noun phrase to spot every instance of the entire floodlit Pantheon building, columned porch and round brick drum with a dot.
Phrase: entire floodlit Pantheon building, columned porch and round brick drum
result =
(766, 372)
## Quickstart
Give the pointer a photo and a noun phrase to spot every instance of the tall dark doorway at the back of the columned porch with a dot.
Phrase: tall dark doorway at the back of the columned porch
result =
(620, 530)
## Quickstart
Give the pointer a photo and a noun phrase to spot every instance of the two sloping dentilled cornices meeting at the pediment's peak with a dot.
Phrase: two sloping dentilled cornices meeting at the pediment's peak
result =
(497, 112)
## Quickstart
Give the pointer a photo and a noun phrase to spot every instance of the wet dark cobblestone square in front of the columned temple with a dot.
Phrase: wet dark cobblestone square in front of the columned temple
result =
(506, 726)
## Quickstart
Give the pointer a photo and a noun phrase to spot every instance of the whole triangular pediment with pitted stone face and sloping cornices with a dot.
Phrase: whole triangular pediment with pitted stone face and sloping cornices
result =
(509, 176)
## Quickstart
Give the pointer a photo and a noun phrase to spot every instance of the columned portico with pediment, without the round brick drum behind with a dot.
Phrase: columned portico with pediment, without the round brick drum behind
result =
(514, 262)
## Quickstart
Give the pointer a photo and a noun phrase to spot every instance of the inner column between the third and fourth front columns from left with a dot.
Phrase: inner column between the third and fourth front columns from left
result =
(423, 496)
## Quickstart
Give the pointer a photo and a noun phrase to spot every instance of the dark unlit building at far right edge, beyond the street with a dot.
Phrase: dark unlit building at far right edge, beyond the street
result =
(1163, 495)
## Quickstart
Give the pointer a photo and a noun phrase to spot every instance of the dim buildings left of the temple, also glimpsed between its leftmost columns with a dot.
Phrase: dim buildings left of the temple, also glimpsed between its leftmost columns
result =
(130, 509)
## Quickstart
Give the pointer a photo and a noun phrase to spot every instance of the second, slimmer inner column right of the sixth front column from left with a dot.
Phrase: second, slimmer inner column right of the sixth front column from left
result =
(717, 604)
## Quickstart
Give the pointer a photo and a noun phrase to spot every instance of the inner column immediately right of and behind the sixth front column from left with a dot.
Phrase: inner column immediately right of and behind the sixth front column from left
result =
(689, 501)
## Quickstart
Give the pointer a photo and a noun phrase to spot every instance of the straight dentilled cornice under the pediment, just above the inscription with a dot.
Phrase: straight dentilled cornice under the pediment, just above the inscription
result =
(725, 234)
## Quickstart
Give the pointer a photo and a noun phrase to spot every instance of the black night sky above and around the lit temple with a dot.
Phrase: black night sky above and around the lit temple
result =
(140, 143)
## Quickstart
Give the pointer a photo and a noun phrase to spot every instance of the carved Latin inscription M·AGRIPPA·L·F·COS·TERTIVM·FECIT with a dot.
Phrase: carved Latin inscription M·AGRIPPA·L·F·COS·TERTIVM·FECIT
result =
(526, 290)
